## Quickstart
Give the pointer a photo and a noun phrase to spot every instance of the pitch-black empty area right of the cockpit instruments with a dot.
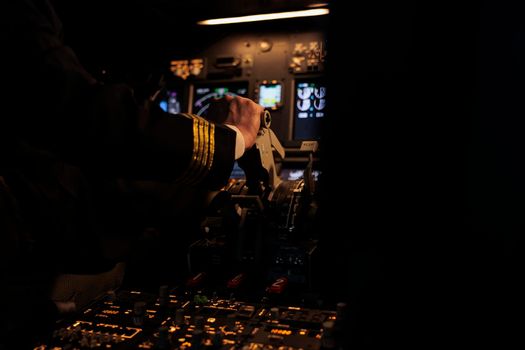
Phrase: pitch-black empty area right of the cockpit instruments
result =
(436, 198)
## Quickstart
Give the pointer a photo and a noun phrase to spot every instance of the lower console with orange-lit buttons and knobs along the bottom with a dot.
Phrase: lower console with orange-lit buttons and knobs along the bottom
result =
(185, 319)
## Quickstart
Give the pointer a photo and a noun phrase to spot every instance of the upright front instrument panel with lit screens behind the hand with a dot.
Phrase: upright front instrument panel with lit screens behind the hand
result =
(284, 72)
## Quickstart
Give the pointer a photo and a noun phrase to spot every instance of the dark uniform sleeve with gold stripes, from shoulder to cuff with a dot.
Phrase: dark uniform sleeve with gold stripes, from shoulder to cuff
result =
(101, 127)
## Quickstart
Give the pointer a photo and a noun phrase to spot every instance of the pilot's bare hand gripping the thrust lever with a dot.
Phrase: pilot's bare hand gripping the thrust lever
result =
(246, 116)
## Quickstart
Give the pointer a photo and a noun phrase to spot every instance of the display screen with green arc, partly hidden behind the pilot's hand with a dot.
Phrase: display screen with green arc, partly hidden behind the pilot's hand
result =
(205, 93)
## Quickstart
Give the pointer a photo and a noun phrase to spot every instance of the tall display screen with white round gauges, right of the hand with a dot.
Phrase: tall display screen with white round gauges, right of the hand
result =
(309, 108)
